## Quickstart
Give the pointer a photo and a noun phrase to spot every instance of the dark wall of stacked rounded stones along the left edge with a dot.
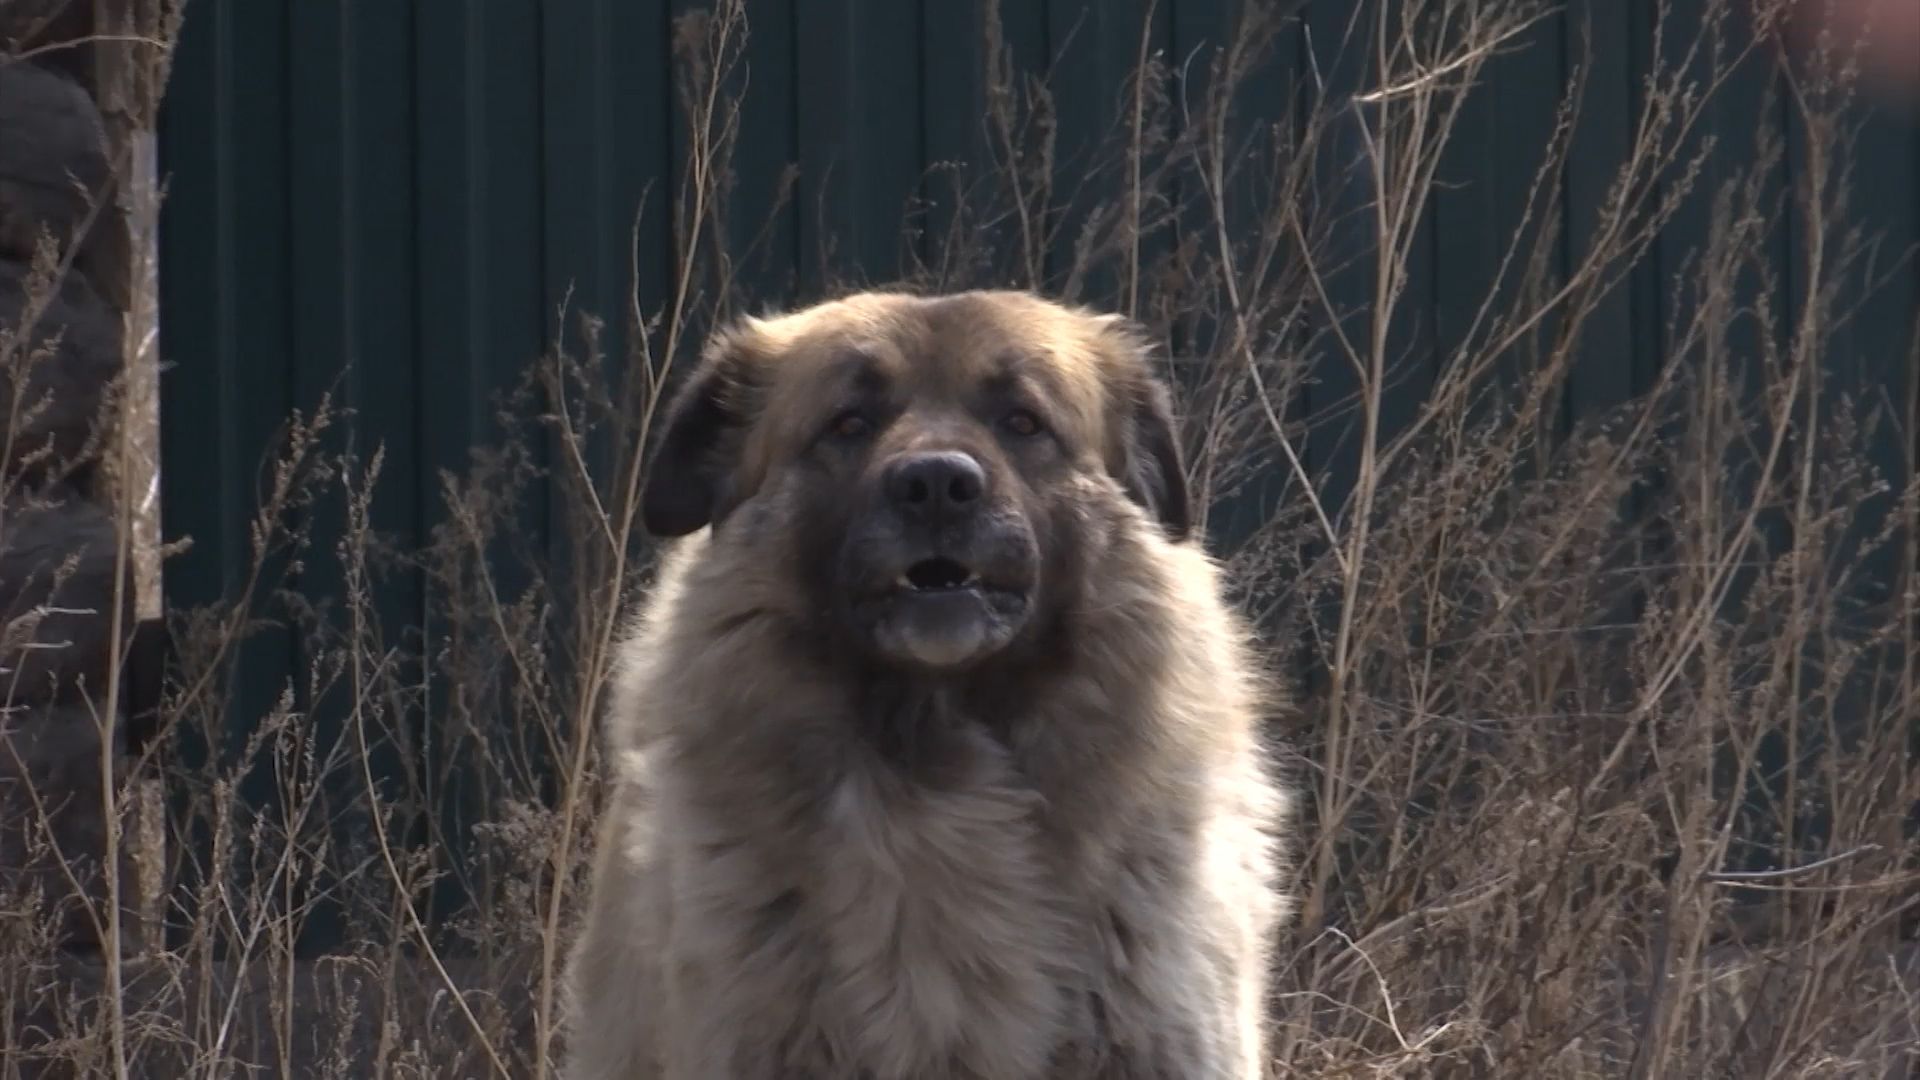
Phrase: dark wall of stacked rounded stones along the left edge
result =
(66, 287)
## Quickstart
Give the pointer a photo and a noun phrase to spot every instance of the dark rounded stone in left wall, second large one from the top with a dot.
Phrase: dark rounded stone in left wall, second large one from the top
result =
(76, 376)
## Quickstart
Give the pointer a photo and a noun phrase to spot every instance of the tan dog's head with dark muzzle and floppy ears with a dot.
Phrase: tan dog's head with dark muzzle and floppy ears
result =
(926, 470)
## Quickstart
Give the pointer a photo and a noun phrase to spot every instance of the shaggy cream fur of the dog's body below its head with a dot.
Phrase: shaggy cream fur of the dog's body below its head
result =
(1082, 891)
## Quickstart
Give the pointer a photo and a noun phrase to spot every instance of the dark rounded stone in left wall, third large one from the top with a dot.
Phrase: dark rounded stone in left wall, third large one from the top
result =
(57, 631)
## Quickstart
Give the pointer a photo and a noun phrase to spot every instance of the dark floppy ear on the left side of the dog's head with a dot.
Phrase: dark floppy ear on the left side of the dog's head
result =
(690, 481)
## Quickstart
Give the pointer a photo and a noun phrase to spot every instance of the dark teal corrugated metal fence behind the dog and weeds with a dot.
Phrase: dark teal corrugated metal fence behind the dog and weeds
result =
(393, 199)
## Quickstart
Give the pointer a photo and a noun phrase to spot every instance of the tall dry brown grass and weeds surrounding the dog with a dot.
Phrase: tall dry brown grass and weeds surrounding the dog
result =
(1608, 750)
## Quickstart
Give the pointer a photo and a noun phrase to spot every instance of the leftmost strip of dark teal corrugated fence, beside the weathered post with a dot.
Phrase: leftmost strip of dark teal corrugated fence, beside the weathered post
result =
(226, 305)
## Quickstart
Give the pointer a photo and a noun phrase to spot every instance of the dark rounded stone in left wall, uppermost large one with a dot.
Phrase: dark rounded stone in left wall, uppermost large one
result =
(53, 153)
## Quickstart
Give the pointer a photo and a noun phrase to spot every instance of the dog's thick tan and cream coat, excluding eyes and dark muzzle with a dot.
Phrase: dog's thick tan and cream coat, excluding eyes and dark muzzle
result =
(815, 864)
